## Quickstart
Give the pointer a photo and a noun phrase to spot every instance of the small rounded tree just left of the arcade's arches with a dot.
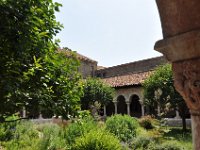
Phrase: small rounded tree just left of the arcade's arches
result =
(96, 91)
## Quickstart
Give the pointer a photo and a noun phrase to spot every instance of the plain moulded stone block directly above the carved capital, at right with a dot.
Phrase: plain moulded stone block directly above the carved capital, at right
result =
(181, 47)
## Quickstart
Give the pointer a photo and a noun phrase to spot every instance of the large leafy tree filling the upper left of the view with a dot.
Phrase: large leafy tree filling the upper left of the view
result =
(33, 73)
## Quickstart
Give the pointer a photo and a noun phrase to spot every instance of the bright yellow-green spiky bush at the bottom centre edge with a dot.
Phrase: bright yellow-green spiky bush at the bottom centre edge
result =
(97, 140)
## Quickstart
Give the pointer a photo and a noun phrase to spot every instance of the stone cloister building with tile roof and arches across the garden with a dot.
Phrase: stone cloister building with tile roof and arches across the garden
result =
(127, 80)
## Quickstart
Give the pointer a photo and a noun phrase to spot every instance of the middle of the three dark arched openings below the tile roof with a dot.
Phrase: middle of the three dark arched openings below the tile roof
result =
(121, 105)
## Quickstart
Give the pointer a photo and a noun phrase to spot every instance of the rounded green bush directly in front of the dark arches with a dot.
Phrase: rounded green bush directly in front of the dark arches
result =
(124, 127)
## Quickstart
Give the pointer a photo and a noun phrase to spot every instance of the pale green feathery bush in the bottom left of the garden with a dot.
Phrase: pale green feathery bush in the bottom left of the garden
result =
(28, 136)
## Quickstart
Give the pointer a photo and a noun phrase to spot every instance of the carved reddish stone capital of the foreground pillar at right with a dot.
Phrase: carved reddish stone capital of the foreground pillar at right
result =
(187, 82)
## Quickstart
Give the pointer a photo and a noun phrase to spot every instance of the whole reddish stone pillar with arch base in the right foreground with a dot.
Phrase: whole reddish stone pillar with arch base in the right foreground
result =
(180, 20)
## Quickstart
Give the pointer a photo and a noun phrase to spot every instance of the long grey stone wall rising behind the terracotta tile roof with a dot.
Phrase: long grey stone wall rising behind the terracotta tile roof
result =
(133, 67)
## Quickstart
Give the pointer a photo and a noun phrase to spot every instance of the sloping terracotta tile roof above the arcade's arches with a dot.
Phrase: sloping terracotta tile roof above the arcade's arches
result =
(127, 80)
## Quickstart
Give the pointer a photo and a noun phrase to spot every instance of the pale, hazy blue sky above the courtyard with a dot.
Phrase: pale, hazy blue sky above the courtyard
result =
(111, 32)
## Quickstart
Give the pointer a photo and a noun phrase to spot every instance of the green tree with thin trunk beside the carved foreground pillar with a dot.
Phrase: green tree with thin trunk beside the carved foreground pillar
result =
(160, 91)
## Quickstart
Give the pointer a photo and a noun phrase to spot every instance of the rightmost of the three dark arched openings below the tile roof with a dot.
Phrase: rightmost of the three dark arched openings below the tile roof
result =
(135, 106)
